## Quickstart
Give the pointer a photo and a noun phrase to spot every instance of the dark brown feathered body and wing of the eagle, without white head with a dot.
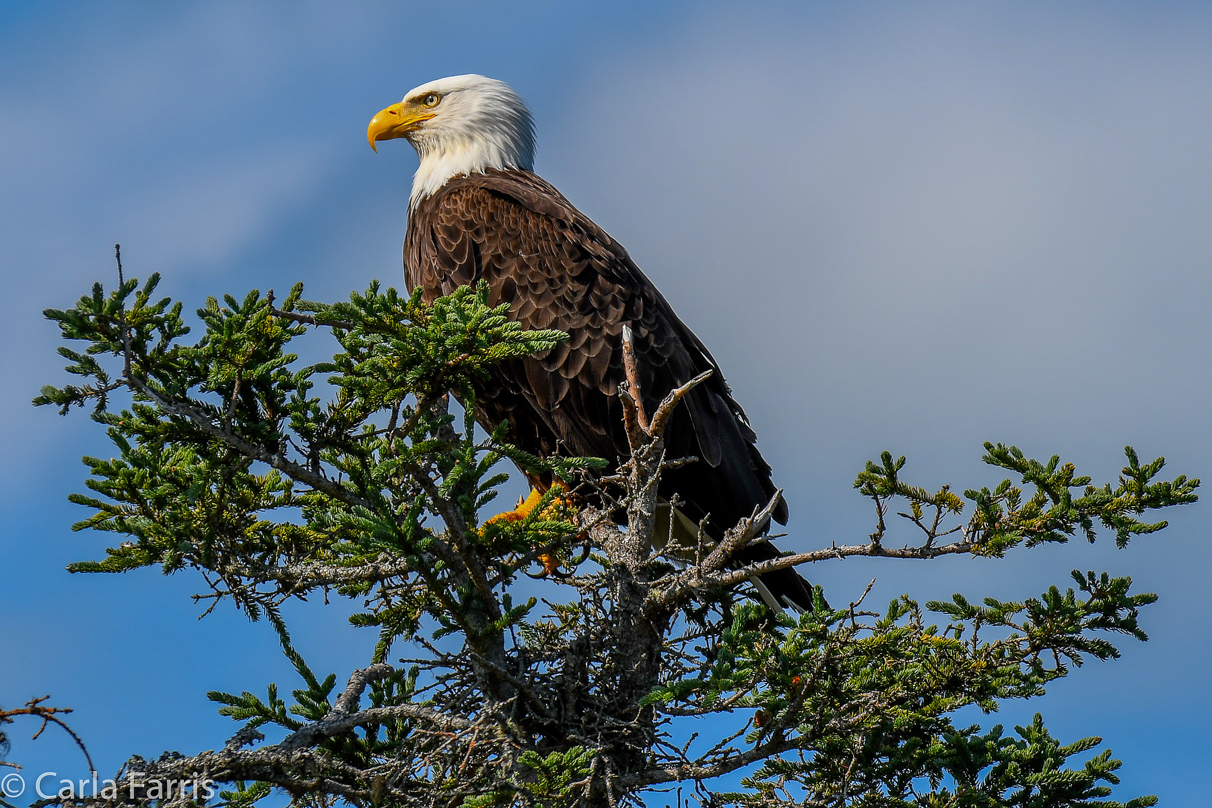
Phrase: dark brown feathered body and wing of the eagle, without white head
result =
(557, 270)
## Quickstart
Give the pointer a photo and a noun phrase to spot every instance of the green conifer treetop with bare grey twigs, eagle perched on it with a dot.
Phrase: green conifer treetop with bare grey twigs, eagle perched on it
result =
(580, 696)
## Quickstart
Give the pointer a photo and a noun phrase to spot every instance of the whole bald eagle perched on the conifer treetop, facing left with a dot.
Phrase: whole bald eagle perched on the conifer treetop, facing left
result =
(479, 213)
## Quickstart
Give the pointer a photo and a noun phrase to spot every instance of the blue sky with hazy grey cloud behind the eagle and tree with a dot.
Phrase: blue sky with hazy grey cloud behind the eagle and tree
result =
(904, 227)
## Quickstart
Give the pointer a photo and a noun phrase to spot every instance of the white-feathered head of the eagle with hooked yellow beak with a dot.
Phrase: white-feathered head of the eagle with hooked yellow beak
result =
(460, 125)
